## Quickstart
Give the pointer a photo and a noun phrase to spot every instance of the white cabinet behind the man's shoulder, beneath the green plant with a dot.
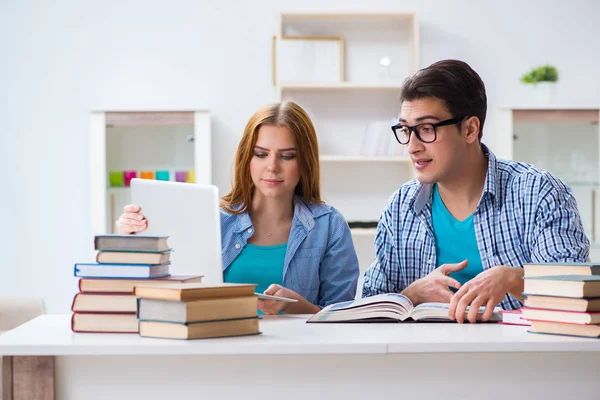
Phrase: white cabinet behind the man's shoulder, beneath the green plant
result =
(565, 140)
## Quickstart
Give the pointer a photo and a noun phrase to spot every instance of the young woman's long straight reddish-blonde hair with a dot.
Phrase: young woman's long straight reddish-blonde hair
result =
(293, 117)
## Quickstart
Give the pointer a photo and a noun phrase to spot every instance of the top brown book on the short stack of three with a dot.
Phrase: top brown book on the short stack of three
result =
(193, 291)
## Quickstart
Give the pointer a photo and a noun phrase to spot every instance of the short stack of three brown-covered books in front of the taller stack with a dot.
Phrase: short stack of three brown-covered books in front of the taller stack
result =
(196, 310)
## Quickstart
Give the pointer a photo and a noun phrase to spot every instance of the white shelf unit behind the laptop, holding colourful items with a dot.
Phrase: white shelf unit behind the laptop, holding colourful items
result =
(143, 141)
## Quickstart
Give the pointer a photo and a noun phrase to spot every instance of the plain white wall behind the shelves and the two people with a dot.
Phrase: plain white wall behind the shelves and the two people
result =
(60, 59)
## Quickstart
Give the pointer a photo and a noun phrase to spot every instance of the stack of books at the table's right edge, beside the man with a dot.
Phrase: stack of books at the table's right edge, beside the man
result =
(563, 299)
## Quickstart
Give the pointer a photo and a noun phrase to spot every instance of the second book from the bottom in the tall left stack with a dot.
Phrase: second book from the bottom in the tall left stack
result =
(104, 303)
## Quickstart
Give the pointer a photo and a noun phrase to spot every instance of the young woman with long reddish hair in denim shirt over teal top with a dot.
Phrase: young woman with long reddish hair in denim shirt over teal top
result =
(275, 229)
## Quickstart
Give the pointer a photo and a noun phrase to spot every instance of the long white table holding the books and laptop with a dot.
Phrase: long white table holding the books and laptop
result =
(295, 360)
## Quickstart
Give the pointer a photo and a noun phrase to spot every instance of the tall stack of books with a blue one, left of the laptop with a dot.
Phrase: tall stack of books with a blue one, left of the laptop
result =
(105, 302)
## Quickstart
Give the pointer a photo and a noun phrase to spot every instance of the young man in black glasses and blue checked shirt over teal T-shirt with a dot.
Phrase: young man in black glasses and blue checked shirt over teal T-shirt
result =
(461, 232)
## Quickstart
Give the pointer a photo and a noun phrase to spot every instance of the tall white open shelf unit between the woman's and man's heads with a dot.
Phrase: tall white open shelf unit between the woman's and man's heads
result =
(361, 162)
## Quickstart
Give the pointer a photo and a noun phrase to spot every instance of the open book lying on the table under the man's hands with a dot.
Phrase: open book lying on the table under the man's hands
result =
(389, 307)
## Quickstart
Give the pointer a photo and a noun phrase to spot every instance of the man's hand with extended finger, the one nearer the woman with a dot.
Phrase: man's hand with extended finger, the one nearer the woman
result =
(435, 287)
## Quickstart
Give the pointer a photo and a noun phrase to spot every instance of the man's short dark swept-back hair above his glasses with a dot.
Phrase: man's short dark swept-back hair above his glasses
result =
(454, 82)
